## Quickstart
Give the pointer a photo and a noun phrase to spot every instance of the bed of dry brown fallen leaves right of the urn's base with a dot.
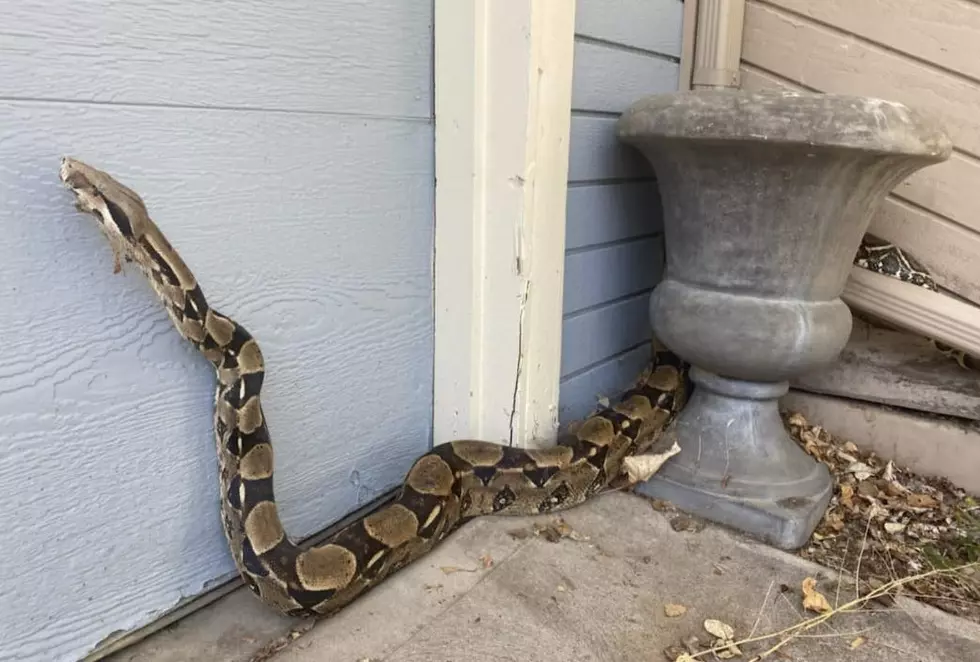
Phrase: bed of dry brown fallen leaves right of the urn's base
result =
(885, 523)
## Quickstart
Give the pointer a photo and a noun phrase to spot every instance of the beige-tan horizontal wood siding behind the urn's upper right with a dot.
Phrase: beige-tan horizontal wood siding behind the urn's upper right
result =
(924, 54)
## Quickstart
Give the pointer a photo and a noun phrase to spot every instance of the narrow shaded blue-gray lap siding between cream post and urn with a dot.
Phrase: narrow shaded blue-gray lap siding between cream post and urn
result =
(613, 259)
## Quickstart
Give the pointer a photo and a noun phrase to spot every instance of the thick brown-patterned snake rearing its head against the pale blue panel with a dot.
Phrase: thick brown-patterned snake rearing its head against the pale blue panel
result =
(451, 484)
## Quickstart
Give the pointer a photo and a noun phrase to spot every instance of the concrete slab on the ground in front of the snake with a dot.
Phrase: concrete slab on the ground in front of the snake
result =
(600, 599)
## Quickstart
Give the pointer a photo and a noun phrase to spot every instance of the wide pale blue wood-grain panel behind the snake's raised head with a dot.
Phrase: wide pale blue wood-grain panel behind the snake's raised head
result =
(287, 150)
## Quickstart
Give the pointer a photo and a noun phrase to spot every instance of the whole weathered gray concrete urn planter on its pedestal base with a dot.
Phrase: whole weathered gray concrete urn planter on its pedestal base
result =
(766, 197)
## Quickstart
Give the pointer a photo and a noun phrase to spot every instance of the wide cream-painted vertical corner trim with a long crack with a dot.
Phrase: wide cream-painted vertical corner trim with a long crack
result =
(503, 87)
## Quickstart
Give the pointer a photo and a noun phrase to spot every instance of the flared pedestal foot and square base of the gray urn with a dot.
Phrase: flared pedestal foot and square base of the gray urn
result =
(739, 467)
